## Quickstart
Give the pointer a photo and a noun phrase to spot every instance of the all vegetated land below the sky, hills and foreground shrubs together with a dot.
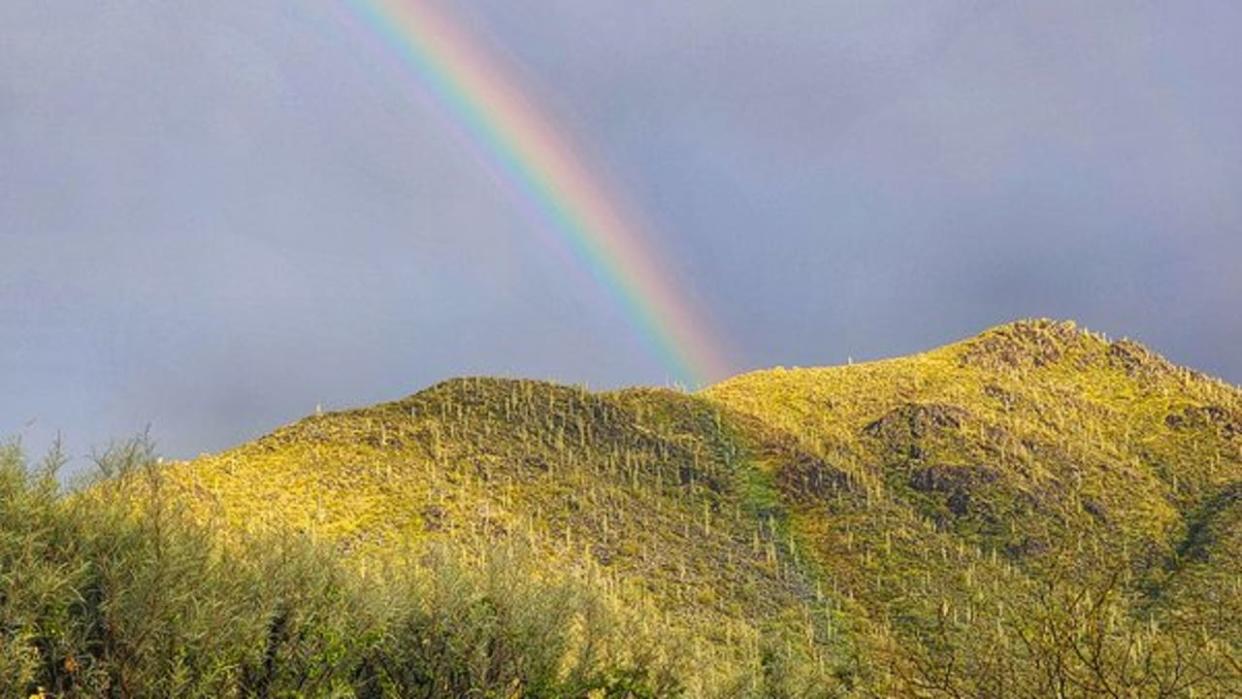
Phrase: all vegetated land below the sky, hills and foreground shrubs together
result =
(1035, 512)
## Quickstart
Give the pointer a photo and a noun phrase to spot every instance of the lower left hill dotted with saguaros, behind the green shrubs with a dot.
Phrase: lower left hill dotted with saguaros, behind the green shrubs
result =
(651, 487)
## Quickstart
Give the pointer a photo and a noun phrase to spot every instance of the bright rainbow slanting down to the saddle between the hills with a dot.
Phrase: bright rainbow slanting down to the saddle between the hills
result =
(526, 148)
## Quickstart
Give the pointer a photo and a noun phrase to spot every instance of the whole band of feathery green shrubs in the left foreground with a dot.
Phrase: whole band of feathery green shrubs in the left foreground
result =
(115, 592)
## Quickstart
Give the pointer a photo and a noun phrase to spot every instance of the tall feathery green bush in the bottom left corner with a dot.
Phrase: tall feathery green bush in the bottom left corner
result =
(105, 595)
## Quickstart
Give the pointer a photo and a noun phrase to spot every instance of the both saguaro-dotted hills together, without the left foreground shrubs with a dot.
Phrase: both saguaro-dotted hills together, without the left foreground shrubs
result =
(1033, 511)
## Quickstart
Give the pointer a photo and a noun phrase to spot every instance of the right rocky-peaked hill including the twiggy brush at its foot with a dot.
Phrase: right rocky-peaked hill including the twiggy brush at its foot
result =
(1033, 512)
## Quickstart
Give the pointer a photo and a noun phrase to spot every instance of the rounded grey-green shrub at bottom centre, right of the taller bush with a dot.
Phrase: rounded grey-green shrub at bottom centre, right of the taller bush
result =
(497, 626)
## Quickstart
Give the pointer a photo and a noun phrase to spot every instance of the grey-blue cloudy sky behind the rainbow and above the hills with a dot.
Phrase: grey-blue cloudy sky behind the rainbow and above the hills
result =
(218, 217)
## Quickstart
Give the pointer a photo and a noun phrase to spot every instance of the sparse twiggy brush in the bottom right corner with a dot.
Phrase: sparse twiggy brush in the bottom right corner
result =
(1085, 635)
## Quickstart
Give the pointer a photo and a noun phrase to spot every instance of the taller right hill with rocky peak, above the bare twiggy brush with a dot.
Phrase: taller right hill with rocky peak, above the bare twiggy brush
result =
(1030, 454)
